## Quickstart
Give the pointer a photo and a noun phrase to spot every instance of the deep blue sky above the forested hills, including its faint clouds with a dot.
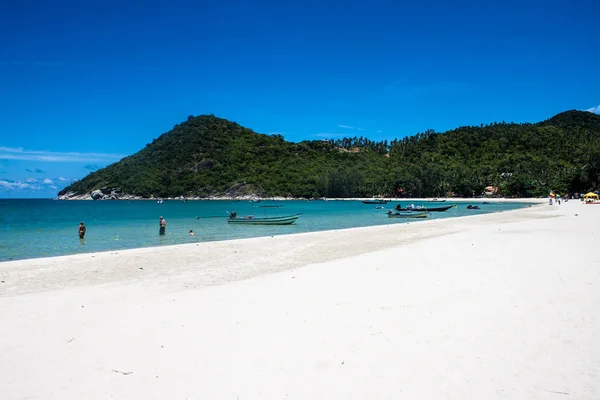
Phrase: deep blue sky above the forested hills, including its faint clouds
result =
(83, 83)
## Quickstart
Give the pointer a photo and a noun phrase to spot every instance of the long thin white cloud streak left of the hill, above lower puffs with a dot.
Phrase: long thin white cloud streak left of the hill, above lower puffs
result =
(18, 153)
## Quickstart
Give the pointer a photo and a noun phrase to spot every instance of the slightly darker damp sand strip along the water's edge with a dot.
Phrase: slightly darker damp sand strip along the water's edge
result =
(106, 266)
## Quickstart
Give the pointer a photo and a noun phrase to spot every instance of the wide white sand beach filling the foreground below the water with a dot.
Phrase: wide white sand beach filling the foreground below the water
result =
(495, 306)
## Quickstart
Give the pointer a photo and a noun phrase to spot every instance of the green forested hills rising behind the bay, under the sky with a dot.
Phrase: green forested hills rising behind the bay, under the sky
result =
(209, 156)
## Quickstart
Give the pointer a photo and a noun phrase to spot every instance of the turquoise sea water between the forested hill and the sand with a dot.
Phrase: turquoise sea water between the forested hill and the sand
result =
(31, 228)
